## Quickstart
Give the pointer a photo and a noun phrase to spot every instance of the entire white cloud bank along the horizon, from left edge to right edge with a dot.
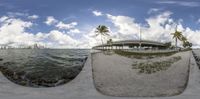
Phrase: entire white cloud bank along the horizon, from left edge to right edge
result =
(13, 31)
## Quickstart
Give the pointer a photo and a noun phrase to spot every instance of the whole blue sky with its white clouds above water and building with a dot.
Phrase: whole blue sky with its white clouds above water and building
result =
(72, 23)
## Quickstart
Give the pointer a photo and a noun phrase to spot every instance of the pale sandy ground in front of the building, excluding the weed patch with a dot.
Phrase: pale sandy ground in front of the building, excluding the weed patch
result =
(114, 76)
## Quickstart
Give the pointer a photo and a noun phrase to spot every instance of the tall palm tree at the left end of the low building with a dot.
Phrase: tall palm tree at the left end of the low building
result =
(102, 30)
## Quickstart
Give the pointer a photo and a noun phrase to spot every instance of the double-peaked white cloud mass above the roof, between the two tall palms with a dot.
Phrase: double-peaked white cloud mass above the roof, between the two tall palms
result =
(156, 28)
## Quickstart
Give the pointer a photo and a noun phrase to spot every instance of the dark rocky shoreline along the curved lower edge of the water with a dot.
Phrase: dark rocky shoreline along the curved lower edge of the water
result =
(39, 78)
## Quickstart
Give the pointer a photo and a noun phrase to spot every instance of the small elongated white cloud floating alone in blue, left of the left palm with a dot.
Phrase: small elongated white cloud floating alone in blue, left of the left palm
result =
(62, 25)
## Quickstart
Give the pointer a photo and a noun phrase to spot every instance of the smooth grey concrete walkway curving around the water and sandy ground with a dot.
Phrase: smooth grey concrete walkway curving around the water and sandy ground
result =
(82, 87)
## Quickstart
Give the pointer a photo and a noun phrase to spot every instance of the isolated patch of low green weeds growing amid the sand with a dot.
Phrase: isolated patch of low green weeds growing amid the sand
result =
(153, 67)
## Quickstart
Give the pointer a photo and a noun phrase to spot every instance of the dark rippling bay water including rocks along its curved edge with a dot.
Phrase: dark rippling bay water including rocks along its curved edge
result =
(42, 67)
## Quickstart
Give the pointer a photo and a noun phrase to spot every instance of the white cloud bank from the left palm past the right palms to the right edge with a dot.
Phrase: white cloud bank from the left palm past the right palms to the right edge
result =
(157, 28)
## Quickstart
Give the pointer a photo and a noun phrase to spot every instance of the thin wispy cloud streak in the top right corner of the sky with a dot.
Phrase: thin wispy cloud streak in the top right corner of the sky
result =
(181, 3)
